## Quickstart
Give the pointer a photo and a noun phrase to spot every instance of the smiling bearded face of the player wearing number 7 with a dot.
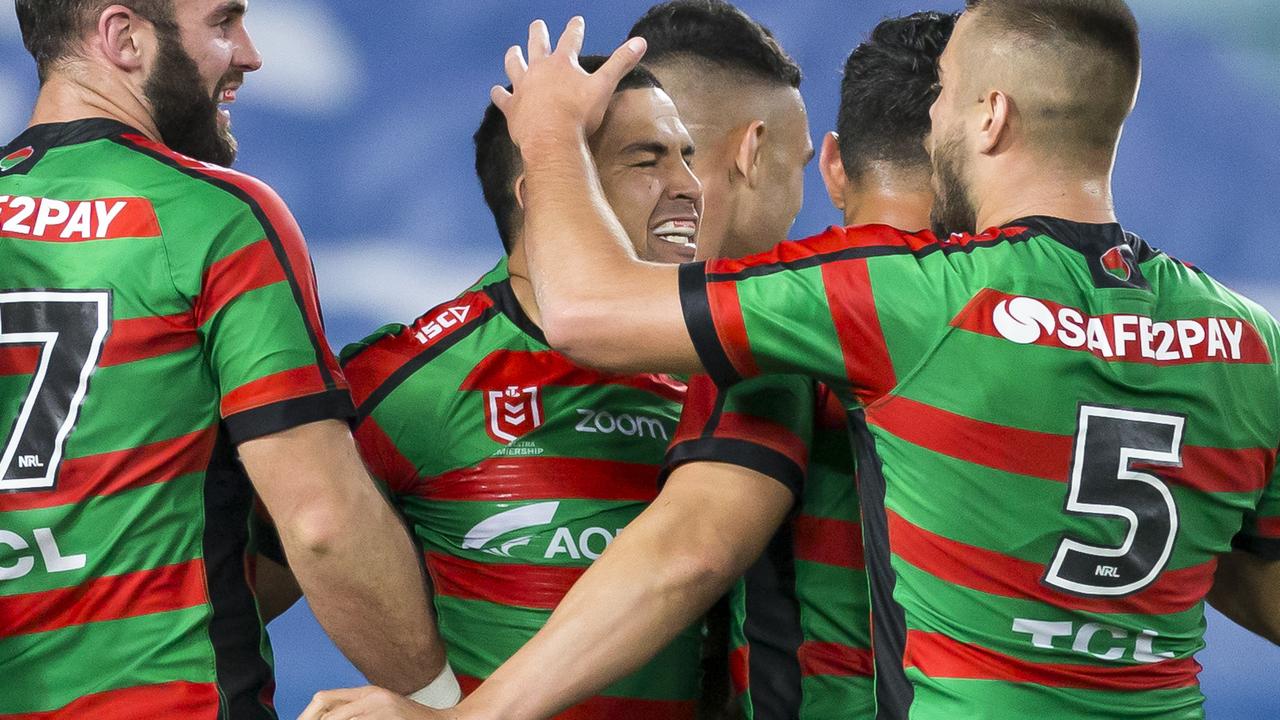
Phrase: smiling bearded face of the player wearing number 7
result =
(200, 66)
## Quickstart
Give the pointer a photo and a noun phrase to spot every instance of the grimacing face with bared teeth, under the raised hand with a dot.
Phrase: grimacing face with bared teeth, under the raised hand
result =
(643, 153)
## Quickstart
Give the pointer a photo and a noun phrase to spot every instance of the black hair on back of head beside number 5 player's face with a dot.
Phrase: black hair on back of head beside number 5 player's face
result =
(889, 85)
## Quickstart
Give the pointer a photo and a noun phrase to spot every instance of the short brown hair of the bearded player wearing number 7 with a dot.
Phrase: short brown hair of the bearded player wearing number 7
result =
(52, 29)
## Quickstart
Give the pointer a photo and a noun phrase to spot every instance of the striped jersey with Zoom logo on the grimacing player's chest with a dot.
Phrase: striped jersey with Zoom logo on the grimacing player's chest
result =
(515, 470)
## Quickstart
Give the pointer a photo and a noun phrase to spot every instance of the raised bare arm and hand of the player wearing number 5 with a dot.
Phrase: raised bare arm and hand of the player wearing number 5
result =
(600, 304)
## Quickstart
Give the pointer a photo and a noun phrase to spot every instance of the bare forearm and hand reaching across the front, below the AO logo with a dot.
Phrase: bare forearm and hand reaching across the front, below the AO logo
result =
(675, 559)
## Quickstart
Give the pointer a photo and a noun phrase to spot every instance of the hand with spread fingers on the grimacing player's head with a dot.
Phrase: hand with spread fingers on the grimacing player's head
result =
(552, 94)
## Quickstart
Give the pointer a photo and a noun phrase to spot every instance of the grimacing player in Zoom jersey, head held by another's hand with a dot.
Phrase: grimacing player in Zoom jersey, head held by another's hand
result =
(514, 467)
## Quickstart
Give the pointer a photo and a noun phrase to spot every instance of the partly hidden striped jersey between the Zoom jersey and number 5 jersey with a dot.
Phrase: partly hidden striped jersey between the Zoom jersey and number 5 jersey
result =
(801, 618)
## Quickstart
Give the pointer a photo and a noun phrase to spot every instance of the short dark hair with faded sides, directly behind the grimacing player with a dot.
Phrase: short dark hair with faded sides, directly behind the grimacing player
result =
(720, 34)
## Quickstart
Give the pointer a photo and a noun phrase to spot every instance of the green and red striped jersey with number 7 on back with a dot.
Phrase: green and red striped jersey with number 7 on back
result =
(154, 312)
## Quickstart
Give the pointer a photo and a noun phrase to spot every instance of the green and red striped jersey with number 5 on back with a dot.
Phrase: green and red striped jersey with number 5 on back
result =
(1059, 431)
